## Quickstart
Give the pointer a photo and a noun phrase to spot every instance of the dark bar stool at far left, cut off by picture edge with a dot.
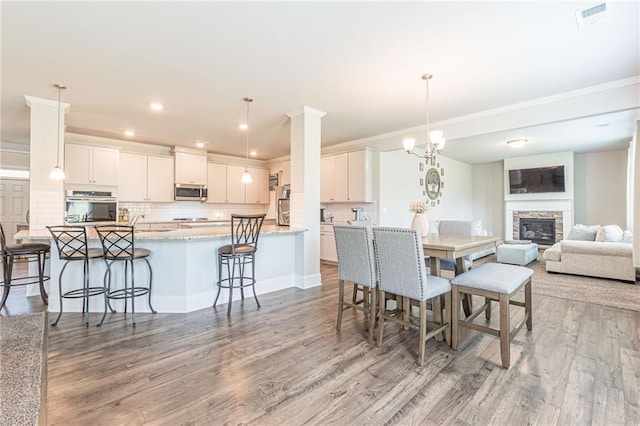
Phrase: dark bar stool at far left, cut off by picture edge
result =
(31, 252)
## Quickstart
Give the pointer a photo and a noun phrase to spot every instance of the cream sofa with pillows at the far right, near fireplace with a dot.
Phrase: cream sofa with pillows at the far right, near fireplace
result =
(604, 257)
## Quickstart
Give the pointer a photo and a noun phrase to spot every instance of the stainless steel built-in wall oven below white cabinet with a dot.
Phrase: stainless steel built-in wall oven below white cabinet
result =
(91, 206)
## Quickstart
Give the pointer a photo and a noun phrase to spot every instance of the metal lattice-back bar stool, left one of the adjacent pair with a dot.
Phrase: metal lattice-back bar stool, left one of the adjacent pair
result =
(71, 242)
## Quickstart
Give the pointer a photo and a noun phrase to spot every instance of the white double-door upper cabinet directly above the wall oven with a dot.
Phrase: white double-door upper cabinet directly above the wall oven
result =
(92, 165)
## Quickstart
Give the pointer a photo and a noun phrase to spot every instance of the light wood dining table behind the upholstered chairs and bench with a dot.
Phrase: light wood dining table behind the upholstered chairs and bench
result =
(455, 247)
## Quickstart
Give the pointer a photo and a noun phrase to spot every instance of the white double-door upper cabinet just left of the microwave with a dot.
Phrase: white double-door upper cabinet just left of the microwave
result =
(144, 178)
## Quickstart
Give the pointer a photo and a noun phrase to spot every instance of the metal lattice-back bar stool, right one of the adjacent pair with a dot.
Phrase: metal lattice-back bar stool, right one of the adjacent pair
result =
(118, 245)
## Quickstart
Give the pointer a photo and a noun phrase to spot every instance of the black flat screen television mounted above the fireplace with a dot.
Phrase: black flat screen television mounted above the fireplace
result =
(536, 180)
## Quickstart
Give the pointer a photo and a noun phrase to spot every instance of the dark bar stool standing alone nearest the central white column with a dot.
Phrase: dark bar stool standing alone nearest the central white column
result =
(245, 230)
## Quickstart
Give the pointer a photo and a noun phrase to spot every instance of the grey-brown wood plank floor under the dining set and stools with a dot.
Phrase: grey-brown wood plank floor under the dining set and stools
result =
(285, 364)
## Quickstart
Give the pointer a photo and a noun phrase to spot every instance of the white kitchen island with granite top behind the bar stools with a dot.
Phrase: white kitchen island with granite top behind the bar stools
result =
(184, 264)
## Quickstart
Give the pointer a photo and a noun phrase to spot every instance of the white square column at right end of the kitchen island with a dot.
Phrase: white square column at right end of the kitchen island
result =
(305, 192)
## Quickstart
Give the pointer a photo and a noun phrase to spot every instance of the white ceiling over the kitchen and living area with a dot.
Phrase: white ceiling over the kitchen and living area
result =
(515, 66)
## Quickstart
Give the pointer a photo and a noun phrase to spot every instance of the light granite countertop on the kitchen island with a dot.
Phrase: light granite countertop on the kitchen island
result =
(213, 232)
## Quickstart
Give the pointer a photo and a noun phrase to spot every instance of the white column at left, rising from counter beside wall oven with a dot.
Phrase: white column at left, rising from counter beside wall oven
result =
(46, 196)
